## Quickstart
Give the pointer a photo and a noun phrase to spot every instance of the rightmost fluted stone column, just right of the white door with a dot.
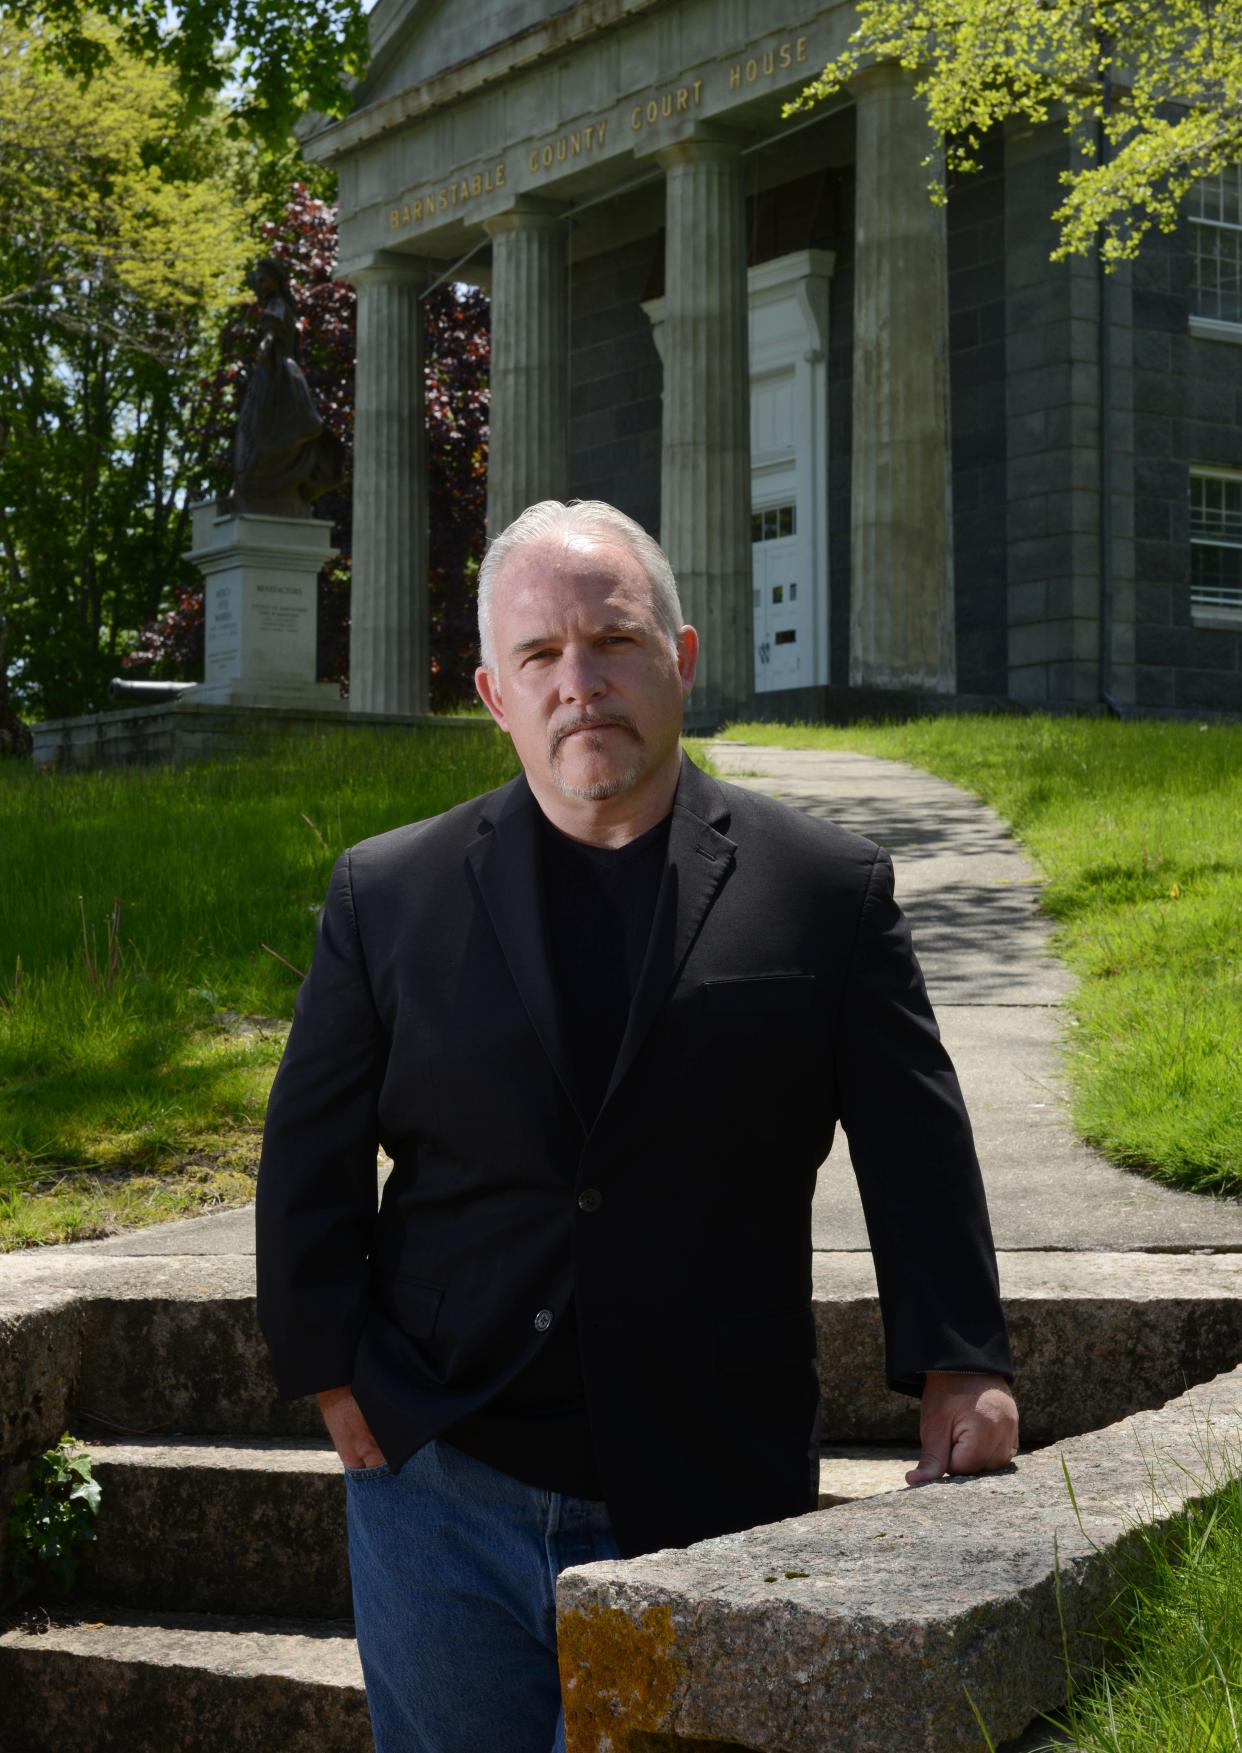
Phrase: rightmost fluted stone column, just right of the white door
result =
(901, 611)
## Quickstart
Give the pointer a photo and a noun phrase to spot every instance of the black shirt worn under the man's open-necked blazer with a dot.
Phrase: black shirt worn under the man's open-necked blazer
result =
(597, 905)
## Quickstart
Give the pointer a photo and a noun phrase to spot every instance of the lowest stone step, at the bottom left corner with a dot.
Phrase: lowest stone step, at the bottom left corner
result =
(122, 1682)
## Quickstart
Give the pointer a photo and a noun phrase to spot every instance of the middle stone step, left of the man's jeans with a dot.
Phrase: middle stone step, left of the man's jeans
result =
(220, 1526)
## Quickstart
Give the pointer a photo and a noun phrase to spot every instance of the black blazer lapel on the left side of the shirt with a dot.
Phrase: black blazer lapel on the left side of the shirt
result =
(506, 867)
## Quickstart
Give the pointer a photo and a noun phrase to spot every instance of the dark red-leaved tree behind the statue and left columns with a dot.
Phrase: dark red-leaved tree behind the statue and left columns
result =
(457, 343)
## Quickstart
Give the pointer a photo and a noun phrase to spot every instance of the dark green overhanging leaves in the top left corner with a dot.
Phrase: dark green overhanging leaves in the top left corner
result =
(275, 62)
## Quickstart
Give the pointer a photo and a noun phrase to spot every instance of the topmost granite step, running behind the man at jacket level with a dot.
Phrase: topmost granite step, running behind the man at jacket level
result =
(173, 1345)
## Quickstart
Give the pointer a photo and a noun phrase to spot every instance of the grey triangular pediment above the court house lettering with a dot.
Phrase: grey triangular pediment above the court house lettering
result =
(413, 41)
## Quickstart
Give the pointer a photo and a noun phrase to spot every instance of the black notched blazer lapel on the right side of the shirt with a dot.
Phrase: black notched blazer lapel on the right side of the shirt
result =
(699, 862)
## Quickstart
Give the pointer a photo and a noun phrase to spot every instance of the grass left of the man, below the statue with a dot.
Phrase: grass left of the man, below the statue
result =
(136, 1061)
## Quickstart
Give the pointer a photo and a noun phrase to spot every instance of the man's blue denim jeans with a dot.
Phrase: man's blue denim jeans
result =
(453, 1573)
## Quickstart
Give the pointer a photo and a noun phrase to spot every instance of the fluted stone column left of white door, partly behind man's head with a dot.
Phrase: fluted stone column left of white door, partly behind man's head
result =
(706, 471)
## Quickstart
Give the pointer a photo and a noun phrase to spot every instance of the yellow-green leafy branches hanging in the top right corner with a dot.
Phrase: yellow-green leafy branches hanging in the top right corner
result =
(1159, 80)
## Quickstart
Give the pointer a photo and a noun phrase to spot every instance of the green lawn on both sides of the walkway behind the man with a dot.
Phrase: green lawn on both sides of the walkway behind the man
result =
(157, 921)
